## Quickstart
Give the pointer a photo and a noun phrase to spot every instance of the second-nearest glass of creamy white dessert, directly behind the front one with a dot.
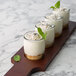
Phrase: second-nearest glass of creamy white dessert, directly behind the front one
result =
(50, 33)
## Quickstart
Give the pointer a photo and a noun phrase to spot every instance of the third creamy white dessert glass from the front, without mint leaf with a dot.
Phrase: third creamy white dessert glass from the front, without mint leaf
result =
(56, 20)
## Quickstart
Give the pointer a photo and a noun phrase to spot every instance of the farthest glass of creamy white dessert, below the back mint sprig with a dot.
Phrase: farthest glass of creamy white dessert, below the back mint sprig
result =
(64, 12)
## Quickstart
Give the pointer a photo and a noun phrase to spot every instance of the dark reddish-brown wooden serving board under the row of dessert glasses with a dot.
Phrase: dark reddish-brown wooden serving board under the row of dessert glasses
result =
(26, 67)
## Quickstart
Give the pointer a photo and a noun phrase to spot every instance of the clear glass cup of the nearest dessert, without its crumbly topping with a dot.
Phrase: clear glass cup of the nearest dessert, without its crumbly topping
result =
(34, 49)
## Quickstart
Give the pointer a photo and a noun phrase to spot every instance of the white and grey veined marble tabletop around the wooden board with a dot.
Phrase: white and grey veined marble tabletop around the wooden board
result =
(19, 16)
